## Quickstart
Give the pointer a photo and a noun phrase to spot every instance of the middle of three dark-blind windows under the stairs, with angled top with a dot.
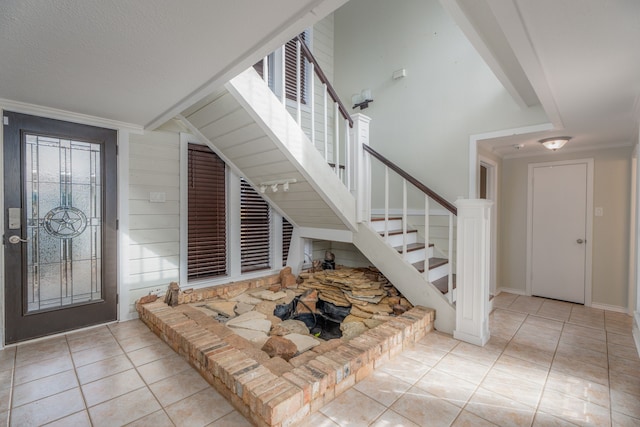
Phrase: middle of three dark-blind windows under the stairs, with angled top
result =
(255, 230)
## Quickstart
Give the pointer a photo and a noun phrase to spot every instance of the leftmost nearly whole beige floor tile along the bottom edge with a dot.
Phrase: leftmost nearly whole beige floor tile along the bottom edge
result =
(48, 409)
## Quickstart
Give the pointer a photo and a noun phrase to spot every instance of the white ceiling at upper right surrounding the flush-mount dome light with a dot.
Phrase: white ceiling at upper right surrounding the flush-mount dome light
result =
(579, 59)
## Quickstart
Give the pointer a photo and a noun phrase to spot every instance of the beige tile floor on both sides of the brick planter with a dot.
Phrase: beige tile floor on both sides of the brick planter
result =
(548, 363)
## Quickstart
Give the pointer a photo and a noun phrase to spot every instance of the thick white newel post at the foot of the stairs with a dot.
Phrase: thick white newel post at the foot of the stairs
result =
(473, 268)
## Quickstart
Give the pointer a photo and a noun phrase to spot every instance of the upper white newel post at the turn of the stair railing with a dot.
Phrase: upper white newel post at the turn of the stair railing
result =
(360, 169)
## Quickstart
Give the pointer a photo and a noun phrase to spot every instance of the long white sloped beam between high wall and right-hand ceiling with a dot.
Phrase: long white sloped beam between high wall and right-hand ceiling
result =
(498, 33)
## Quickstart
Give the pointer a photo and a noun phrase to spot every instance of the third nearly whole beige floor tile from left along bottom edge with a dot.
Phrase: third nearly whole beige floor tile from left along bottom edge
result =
(199, 409)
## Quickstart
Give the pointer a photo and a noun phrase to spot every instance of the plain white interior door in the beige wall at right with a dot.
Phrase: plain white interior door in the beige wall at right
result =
(560, 198)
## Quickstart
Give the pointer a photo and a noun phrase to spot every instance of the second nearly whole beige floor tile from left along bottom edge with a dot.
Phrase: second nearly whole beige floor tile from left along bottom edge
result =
(124, 409)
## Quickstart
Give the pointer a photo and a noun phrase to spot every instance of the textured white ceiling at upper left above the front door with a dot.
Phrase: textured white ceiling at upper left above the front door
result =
(141, 61)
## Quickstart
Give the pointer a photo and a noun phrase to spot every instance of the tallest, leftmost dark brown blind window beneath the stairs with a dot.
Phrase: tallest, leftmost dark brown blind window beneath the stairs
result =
(207, 247)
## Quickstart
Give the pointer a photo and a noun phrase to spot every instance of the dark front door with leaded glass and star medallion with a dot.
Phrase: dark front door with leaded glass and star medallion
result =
(60, 226)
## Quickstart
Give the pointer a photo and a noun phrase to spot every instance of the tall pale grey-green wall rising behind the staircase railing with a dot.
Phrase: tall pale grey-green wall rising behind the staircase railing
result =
(421, 122)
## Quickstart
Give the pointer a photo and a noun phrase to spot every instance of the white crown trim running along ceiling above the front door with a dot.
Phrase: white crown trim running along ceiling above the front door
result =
(69, 116)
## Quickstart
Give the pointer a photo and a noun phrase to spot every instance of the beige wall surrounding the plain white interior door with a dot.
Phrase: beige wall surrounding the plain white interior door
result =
(612, 174)
